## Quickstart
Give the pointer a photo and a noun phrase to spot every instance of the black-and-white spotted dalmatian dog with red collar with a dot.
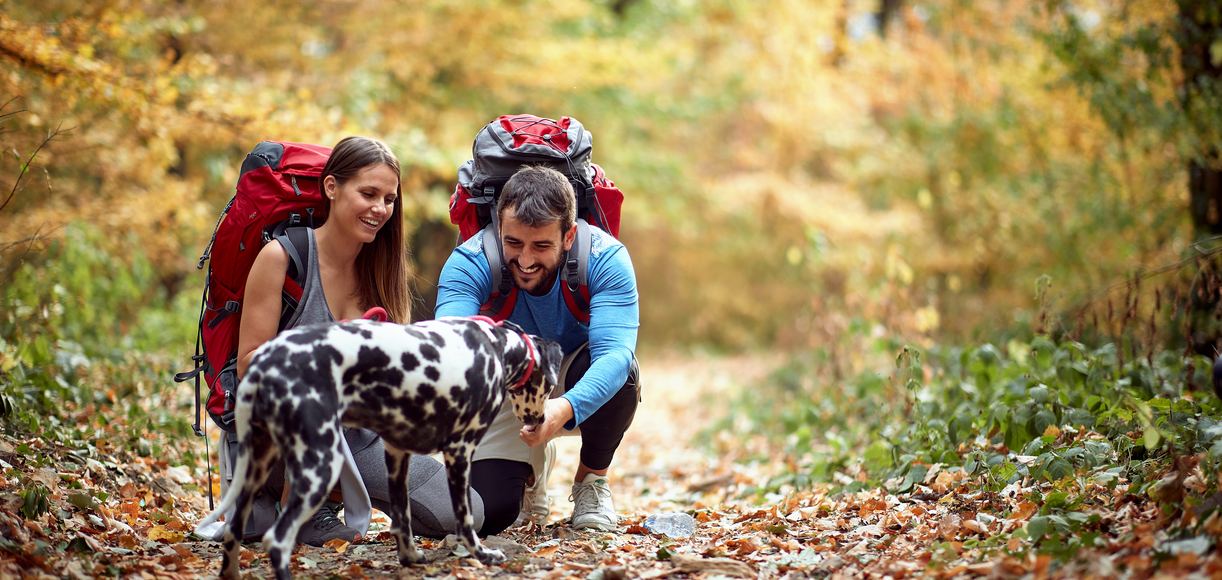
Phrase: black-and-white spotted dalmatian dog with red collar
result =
(427, 388)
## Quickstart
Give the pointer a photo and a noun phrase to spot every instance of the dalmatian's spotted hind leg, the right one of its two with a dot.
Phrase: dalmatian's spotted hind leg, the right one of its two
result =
(312, 467)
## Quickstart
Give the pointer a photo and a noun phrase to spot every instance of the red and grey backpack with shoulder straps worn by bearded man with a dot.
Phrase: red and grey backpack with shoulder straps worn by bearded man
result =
(502, 148)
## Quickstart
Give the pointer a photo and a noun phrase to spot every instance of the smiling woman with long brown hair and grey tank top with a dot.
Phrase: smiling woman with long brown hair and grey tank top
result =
(356, 261)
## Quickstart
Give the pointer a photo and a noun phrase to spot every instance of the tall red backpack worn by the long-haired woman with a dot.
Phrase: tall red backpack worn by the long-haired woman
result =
(277, 191)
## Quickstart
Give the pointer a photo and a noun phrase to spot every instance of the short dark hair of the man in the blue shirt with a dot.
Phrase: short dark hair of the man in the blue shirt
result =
(540, 196)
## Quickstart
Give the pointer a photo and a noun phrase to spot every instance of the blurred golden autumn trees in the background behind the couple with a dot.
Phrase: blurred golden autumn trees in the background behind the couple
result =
(792, 168)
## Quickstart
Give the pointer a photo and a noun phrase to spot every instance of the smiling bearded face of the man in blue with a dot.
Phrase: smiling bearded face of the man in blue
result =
(533, 255)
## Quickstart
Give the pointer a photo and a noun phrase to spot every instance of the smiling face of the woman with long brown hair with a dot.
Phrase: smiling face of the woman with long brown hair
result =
(365, 203)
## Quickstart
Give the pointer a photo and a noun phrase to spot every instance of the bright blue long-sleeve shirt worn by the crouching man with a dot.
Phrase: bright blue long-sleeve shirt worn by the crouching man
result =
(615, 316)
